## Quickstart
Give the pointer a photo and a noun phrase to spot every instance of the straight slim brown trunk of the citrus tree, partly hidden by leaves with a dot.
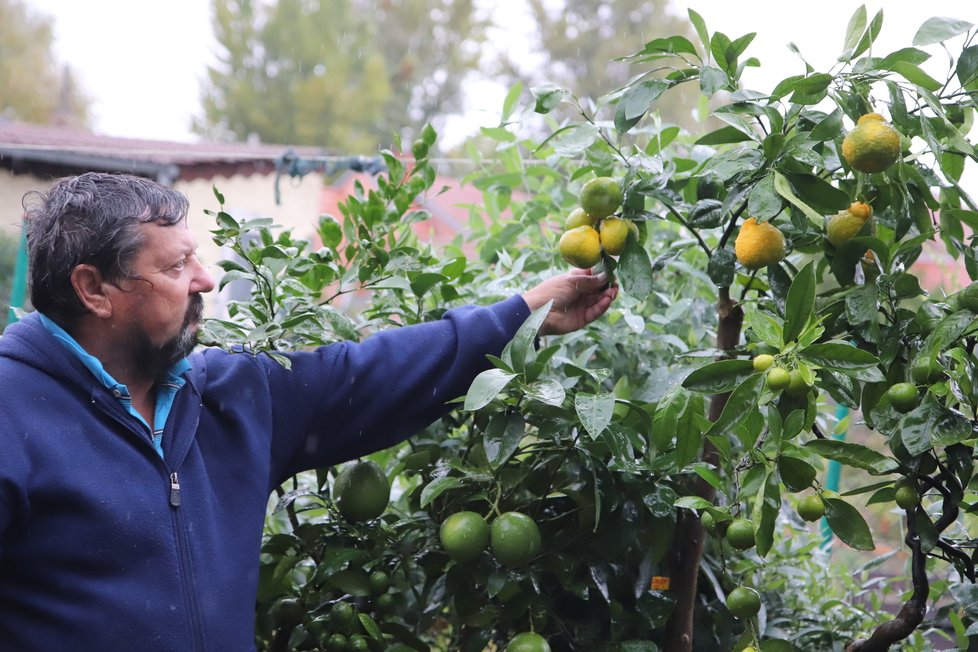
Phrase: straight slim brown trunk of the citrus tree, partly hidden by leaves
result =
(688, 546)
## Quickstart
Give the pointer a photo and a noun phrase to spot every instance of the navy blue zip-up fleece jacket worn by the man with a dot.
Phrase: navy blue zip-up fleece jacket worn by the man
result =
(99, 550)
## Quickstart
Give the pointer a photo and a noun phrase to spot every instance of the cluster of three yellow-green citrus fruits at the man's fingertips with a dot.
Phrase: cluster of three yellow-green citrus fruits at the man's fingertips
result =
(592, 227)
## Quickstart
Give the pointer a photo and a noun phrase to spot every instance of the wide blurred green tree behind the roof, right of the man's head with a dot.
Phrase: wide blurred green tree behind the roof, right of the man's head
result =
(343, 74)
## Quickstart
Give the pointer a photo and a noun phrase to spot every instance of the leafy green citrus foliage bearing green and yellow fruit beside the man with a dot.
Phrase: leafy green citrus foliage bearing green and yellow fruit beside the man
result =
(647, 482)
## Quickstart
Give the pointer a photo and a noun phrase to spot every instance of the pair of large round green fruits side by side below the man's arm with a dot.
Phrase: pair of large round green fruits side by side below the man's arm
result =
(513, 537)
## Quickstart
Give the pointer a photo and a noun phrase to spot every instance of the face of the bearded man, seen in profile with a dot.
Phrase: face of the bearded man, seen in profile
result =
(158, 315)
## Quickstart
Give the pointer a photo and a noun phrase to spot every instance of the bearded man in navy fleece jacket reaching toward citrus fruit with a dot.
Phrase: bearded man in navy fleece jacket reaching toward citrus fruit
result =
(134, 474)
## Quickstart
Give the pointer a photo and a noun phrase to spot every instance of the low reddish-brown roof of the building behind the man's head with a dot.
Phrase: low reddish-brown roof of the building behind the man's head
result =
(45, 150)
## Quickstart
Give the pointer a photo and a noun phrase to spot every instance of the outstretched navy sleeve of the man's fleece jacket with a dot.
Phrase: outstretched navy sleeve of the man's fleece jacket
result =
(348, 399)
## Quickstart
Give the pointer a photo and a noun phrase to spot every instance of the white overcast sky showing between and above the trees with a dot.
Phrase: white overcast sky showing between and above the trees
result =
(143, 62)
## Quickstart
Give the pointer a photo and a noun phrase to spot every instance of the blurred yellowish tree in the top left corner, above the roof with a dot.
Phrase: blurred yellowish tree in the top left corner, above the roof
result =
(35, 87)
